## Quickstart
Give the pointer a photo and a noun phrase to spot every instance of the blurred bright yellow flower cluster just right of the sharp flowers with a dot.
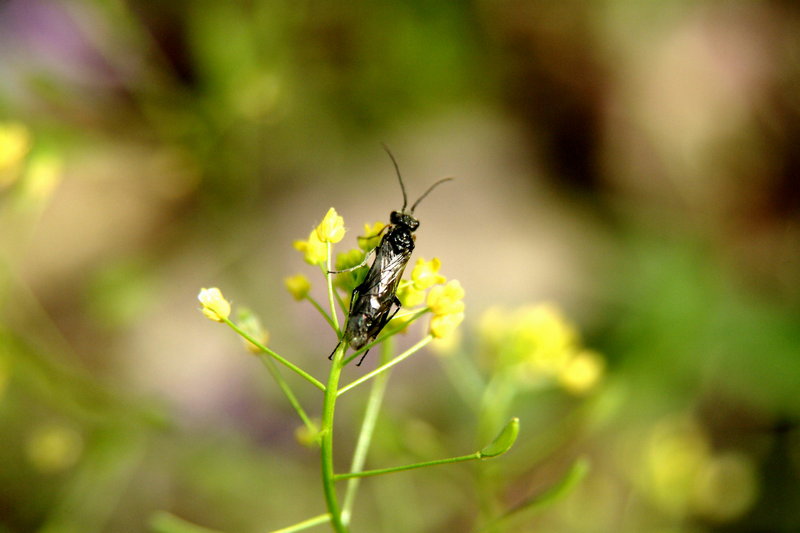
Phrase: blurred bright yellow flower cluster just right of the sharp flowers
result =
(540, 346)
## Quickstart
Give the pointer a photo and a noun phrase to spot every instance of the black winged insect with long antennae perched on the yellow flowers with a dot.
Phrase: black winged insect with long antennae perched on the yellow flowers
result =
(374, 302)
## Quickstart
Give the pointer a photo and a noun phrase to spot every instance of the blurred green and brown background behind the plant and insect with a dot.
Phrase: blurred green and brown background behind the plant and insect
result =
(636, 163)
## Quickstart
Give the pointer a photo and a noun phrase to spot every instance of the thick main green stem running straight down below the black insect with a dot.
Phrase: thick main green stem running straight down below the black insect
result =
(326, 443)
